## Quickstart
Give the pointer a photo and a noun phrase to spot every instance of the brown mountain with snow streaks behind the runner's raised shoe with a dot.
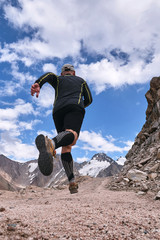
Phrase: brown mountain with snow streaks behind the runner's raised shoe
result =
(24, 174)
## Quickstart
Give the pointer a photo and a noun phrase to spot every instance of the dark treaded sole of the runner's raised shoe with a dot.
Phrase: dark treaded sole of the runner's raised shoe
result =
(45, 159)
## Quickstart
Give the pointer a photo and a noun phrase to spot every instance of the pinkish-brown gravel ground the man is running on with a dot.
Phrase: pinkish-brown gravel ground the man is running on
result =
(93, 213)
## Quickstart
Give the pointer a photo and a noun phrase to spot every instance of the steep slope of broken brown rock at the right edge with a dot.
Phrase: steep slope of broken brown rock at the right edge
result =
(141, 170)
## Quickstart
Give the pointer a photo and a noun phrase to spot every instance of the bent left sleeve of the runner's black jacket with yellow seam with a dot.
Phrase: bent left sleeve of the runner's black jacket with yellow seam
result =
(49, 77)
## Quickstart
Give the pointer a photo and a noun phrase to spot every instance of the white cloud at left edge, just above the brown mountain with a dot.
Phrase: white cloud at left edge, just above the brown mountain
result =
(12, 129)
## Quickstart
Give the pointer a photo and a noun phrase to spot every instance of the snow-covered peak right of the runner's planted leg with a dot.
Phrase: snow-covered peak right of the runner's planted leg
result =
(100, 166)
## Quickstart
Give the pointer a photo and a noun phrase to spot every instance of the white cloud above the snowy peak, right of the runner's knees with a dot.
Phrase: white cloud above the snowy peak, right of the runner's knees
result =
(96, 142)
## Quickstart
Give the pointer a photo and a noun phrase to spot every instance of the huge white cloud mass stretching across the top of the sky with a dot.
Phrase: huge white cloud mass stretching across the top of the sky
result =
(116, 25)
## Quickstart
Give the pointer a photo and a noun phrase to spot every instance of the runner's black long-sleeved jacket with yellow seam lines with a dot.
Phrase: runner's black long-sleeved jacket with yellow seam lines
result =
(68, 90)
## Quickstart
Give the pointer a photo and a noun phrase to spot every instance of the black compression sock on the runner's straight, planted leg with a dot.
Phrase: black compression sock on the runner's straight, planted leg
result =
(67, 162)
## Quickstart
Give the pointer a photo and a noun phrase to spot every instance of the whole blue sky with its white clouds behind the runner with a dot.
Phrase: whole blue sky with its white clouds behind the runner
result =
(114, 46)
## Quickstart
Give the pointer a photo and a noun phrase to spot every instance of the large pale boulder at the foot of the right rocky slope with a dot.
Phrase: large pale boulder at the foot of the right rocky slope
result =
(136, 175)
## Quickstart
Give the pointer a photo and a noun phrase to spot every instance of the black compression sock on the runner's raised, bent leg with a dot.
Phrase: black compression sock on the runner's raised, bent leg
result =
(64, 138)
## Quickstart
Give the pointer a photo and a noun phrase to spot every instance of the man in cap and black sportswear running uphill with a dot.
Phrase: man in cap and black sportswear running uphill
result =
(72, 96)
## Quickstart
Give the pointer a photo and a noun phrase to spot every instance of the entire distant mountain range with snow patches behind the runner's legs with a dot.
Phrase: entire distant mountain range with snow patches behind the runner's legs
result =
(16, 175)
